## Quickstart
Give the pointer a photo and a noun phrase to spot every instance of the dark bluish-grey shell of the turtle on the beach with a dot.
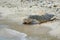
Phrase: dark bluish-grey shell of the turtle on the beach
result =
(42, 18)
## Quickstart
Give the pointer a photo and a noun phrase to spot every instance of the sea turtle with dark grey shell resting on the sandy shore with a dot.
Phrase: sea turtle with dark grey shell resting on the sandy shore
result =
(34, 19)
